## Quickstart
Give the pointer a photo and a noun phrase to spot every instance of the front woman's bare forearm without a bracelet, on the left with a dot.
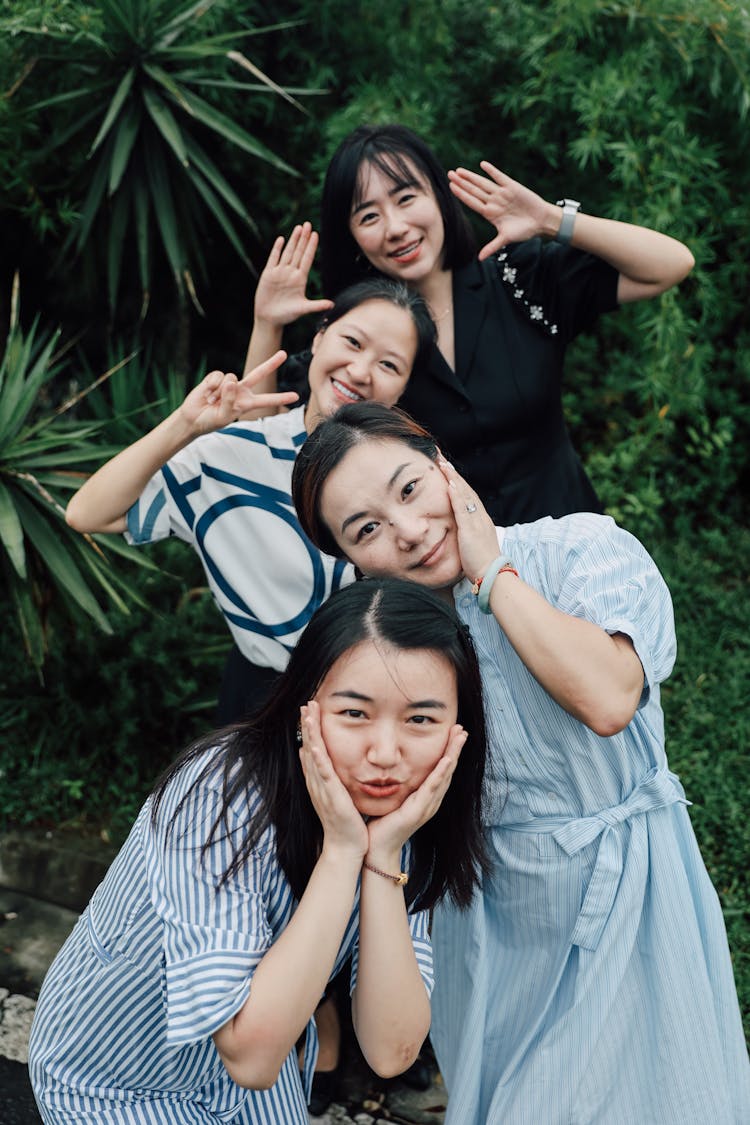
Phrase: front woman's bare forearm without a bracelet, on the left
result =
(291, 979)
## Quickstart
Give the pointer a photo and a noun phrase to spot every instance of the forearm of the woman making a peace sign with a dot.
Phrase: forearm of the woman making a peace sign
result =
(103, 502)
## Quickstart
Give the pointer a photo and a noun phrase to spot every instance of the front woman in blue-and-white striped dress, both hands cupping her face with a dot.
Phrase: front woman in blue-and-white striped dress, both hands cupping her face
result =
(324, 827)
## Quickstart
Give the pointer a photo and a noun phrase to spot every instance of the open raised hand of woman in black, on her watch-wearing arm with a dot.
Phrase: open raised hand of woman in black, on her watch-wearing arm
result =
(517, 212)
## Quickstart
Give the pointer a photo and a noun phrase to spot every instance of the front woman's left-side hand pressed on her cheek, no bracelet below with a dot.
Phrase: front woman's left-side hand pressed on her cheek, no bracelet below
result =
(344, 827)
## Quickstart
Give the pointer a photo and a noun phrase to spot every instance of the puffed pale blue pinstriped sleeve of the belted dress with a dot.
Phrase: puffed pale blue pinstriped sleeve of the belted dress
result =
(613, 582)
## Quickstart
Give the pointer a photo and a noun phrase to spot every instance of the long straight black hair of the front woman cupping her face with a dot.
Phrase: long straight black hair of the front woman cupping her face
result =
(261, 755)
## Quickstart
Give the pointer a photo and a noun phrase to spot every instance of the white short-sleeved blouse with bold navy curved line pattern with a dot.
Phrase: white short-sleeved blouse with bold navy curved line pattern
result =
(229, 494)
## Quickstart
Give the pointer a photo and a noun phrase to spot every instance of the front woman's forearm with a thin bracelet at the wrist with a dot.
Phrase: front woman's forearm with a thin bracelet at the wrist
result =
(391, 1007)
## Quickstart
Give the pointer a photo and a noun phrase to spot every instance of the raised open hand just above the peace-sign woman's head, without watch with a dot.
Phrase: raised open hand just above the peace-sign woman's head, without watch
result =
(281, 295)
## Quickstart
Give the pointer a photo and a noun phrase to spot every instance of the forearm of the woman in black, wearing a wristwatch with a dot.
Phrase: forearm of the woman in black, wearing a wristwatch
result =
(648, 263)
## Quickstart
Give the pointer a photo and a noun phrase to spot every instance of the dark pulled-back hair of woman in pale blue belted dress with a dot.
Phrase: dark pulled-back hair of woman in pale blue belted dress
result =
(328, 446)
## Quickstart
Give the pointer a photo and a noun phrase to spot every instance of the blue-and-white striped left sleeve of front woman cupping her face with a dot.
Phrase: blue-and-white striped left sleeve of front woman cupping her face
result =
(214, 934)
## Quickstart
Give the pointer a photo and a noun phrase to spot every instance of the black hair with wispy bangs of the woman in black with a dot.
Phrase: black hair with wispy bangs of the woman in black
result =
(397, 152)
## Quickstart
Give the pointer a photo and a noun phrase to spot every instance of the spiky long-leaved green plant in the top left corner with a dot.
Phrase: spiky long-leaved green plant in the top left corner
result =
(131, 77)
